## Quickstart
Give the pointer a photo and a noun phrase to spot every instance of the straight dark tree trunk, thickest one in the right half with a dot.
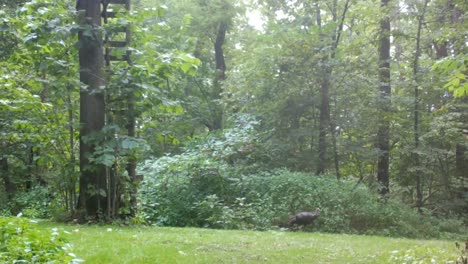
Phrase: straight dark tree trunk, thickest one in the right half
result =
(383, 133)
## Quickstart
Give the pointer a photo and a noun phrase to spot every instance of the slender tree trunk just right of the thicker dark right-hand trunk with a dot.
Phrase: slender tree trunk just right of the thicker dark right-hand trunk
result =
(416, 111)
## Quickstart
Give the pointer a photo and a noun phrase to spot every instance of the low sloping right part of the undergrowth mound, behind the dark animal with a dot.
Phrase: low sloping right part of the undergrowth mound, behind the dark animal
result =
(345, 206)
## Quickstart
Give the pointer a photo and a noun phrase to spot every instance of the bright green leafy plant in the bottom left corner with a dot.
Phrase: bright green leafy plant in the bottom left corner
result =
(21, 241)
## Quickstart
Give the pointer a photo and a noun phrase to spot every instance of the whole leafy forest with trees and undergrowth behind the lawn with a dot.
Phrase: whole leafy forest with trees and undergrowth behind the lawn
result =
(232, 114)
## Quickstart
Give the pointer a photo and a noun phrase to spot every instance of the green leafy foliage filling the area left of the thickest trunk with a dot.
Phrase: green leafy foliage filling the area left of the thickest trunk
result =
(38, 99)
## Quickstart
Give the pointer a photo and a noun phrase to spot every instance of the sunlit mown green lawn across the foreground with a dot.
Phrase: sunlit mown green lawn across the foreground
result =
(110, 244)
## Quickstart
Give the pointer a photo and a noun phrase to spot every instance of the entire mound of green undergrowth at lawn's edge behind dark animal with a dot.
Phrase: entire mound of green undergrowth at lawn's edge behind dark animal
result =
(204, 187)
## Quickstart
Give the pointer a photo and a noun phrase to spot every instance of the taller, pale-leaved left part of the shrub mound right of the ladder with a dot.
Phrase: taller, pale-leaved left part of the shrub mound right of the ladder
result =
(190, 188)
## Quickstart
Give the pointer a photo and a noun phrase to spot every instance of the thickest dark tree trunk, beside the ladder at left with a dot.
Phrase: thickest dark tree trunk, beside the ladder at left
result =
(93, 183)
